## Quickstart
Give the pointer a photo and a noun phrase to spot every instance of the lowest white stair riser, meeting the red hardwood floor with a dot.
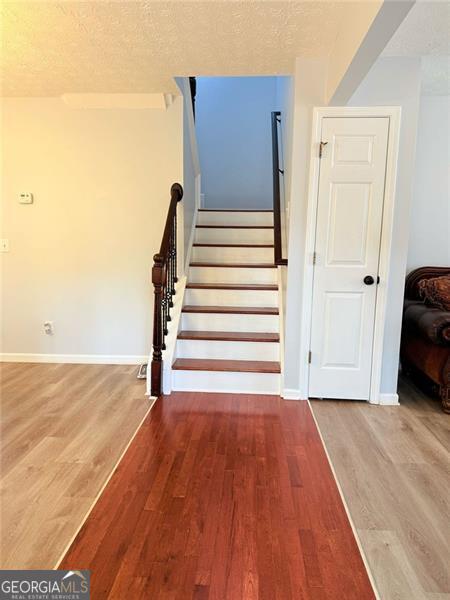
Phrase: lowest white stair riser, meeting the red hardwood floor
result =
(216, 381)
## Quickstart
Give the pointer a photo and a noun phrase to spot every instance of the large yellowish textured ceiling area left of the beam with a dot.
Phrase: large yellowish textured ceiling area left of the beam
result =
(51, 48)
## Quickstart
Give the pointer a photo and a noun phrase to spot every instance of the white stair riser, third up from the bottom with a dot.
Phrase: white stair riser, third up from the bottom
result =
(229, 322)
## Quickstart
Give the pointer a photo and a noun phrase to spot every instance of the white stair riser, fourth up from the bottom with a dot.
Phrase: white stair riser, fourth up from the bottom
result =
(208, 297)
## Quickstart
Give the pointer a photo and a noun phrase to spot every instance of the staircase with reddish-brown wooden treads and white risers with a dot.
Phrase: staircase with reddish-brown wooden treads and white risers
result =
(229, 335)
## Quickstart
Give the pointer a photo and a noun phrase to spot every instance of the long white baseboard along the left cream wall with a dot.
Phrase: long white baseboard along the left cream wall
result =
(89, 359)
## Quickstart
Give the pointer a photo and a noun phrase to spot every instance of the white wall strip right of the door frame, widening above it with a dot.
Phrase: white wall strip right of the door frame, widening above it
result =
(396, 82)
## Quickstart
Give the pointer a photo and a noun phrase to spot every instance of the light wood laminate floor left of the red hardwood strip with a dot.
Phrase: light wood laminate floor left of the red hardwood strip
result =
(63, 428)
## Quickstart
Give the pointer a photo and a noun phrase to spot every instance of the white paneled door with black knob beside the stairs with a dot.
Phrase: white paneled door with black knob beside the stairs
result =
(348, 232)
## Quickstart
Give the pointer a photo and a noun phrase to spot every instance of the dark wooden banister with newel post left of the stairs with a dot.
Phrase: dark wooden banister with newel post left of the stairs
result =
(164, 277)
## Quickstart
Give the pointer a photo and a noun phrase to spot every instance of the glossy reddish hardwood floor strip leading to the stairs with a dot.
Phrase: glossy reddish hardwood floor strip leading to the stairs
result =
(222, 497)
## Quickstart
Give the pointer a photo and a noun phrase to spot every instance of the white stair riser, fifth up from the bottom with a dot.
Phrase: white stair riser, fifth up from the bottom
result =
(232, 275)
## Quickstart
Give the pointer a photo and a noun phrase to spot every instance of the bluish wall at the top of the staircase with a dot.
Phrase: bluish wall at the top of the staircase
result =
(234, 140)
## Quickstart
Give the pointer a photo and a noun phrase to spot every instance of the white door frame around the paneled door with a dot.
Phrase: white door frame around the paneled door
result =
(394, 114)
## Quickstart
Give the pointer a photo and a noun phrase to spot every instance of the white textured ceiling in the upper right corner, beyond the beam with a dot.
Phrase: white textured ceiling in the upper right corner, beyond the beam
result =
(425, 32)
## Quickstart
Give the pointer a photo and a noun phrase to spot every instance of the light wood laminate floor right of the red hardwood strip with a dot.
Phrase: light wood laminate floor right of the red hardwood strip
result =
(393, 465)
